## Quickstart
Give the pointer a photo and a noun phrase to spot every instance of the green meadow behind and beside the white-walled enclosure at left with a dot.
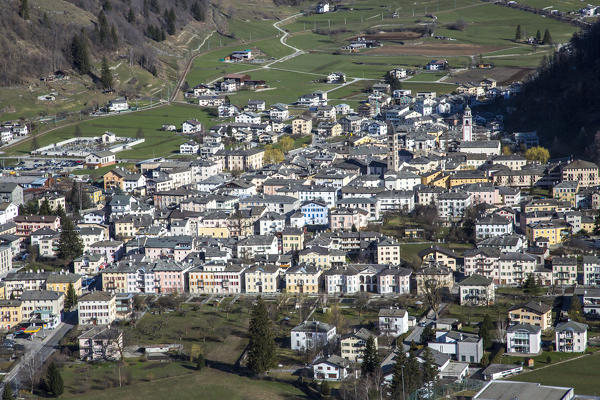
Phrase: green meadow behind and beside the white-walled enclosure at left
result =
(158, 143)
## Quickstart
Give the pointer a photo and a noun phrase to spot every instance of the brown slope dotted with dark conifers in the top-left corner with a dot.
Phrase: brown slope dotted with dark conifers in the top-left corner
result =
(40, 36)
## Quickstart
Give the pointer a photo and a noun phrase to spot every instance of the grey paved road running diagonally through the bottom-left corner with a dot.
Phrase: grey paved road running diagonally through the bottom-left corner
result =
(37, 353)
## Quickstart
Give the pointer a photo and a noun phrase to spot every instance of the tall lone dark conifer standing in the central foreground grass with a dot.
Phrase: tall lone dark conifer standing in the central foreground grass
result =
(261, 348)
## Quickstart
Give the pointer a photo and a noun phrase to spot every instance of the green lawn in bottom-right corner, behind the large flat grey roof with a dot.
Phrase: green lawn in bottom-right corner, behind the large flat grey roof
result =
(581, 374)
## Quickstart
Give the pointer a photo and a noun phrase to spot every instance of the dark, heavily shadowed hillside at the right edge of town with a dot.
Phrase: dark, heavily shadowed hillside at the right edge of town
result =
(561, 101)
